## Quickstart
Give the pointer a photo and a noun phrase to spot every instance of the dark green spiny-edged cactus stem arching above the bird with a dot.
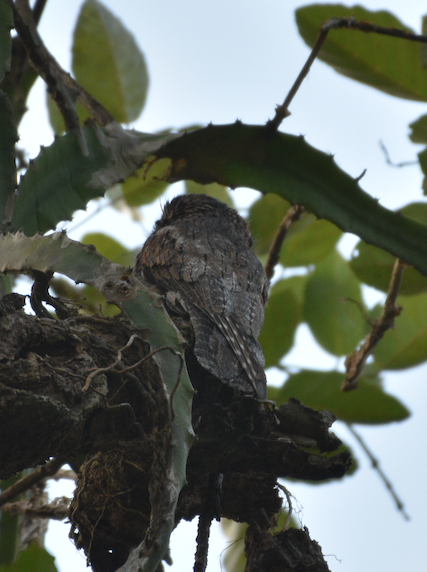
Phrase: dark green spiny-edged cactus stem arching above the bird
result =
(272, 162)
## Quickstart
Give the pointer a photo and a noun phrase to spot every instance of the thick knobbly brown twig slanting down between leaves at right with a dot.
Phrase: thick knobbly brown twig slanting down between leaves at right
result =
(355, 362)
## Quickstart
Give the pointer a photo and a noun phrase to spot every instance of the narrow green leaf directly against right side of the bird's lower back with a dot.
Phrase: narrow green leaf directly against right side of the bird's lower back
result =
(282, 317)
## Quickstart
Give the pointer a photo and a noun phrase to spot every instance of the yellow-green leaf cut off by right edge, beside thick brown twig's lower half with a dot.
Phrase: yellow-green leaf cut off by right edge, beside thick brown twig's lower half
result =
(406, 344)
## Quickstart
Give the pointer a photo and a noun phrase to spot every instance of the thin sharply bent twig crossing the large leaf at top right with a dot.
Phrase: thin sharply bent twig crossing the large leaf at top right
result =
(282, 111)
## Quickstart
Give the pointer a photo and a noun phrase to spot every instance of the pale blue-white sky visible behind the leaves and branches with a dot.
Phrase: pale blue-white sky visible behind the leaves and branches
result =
(218, 61)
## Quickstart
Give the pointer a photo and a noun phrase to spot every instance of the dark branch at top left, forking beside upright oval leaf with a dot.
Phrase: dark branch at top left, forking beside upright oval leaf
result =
(62, 87)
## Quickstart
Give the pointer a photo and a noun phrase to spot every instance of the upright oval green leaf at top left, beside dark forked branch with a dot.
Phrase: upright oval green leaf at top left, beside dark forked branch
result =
(108, 62)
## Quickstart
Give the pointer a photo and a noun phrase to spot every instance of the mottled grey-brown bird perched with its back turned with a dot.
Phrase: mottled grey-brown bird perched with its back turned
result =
(200, 255)
